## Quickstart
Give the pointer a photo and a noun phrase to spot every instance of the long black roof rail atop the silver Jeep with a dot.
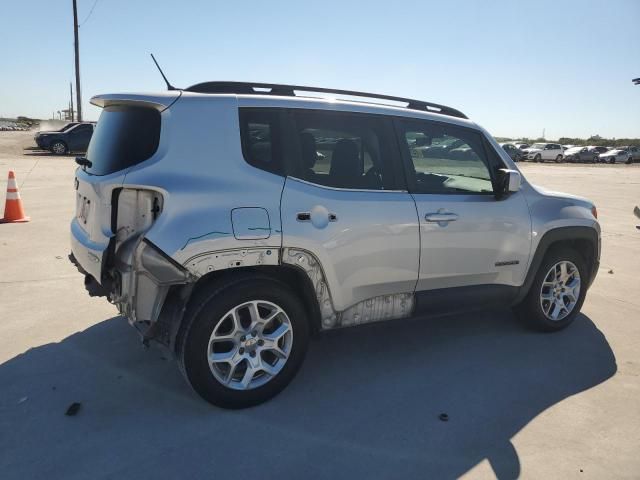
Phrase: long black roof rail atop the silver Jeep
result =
(289, 90)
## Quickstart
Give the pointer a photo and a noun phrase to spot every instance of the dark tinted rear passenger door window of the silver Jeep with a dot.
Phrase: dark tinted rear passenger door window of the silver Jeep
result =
(344, 150)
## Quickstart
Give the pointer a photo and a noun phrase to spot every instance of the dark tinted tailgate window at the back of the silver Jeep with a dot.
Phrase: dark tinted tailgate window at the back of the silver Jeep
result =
(124, 136)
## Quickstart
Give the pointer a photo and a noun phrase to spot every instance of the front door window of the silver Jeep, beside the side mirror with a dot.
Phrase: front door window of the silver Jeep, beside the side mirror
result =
(446, 159)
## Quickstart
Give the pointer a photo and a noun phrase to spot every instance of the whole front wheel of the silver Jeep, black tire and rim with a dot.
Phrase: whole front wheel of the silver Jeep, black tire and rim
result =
(532, 308)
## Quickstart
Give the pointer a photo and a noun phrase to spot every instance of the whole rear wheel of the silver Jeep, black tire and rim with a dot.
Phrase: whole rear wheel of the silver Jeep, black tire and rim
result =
(211, 318)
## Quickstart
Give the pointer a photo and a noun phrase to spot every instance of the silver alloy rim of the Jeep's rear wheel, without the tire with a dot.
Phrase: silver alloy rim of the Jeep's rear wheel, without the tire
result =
(250, 345)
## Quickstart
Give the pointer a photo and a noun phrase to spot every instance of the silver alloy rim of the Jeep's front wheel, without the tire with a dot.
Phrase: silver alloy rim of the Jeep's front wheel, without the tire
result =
(560, 290)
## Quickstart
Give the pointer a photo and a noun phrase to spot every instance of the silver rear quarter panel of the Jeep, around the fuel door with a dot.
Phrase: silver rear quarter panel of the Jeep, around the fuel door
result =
(199, 200)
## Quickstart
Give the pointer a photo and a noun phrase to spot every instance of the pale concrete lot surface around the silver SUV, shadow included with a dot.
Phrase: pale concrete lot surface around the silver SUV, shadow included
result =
(367, 400)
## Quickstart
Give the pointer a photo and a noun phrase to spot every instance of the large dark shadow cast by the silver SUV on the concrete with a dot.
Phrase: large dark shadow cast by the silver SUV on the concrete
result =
(367, 402)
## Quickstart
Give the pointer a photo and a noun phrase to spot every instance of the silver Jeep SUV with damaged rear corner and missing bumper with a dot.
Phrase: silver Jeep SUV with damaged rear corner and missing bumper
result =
(231, 221)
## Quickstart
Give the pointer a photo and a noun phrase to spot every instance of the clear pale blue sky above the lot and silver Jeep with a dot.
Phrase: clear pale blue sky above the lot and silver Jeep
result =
(514, 67)
